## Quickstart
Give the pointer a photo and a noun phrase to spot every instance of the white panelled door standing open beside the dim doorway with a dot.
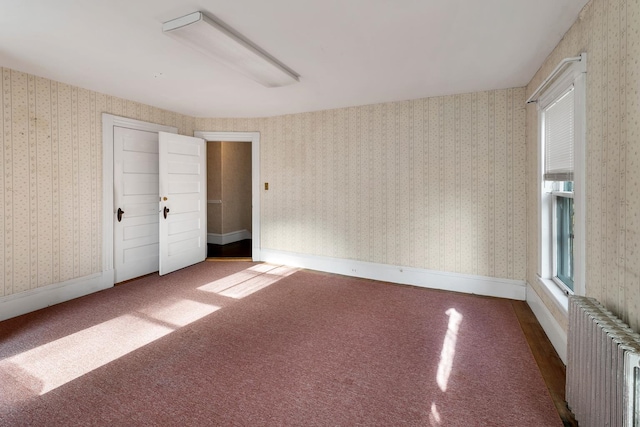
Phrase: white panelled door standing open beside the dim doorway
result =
(183, 192)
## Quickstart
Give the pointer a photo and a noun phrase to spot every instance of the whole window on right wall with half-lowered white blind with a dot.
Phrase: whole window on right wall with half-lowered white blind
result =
(561, 173)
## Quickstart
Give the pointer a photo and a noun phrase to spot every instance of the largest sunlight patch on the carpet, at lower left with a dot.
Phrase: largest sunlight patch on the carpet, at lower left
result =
(56, 363)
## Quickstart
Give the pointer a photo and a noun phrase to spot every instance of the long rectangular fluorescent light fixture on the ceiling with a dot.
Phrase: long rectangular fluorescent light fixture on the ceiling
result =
(216, 40)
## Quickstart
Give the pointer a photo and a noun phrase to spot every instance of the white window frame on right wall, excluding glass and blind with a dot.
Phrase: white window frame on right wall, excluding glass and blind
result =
(573, 75)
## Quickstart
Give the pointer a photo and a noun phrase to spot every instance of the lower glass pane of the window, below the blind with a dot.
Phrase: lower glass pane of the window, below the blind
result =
(564, 245)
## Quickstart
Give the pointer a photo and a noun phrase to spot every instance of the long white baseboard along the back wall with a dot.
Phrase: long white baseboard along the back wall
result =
(479, 285)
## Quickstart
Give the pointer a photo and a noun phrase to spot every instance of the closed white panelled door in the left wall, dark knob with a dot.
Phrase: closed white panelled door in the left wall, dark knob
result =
(136, 234)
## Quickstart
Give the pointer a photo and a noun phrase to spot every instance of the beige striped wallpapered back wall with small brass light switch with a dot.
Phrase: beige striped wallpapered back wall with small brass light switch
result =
(433, 183)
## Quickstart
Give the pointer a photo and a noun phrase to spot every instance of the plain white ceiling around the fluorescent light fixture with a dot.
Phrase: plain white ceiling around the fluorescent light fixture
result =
(348, 52)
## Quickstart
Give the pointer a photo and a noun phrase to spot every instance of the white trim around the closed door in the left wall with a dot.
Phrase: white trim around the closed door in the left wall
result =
(108, 122)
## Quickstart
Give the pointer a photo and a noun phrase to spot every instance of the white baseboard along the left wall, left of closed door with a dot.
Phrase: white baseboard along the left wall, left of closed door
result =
(26, 302)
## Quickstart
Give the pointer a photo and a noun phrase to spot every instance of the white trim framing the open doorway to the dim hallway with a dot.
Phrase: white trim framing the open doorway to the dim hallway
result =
(254, 139)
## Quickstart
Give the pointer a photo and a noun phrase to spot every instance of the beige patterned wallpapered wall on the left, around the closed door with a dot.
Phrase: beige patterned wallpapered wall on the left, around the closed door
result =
(51, 180)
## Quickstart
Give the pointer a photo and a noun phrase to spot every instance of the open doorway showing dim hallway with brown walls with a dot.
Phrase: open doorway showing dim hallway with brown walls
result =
(229, 224)
